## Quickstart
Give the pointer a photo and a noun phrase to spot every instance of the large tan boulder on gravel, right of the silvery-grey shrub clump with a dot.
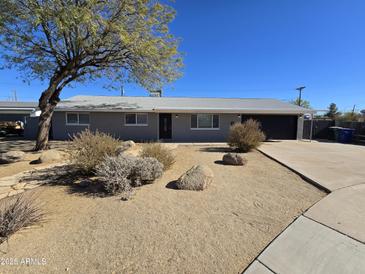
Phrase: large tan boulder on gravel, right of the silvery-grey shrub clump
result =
(196, 178)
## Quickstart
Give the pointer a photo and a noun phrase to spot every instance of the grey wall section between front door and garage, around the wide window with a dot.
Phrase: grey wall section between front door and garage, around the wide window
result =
(181, 131)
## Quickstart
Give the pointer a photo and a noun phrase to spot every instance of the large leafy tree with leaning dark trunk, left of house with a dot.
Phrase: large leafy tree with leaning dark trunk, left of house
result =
(67, 41)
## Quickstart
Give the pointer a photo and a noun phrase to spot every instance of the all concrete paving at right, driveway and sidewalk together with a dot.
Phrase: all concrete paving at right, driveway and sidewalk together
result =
(330, 236)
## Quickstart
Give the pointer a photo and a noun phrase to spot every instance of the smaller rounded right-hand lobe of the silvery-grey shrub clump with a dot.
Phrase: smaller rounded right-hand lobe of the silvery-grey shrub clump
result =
(146, 170)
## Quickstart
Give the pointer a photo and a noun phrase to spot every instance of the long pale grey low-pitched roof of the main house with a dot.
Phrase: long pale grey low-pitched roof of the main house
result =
(178, 104)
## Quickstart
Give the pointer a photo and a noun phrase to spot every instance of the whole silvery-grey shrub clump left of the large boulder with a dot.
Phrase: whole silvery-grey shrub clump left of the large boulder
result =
(118, 174)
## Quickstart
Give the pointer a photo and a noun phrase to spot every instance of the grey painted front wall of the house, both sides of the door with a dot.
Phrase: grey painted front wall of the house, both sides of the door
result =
(113, 123)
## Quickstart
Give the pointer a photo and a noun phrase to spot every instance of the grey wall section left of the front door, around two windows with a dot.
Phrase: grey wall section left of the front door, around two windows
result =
(112, 123)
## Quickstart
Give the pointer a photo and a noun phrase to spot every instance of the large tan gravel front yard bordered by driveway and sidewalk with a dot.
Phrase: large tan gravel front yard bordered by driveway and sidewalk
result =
(164, 230)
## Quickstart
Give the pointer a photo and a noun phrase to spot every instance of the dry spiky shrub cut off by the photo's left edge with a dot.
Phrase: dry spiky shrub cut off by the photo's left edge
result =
(16, 213)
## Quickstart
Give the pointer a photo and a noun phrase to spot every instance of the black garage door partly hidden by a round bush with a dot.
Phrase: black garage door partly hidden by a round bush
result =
(276, 126)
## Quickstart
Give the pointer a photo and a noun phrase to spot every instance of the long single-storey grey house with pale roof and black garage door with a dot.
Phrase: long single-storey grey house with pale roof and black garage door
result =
(177, 119)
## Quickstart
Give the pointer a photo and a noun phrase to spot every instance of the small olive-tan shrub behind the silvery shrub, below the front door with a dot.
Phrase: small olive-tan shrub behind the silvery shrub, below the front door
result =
(161, 153)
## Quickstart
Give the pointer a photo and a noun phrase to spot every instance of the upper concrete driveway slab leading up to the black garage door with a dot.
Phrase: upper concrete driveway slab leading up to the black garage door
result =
(331, 165)
